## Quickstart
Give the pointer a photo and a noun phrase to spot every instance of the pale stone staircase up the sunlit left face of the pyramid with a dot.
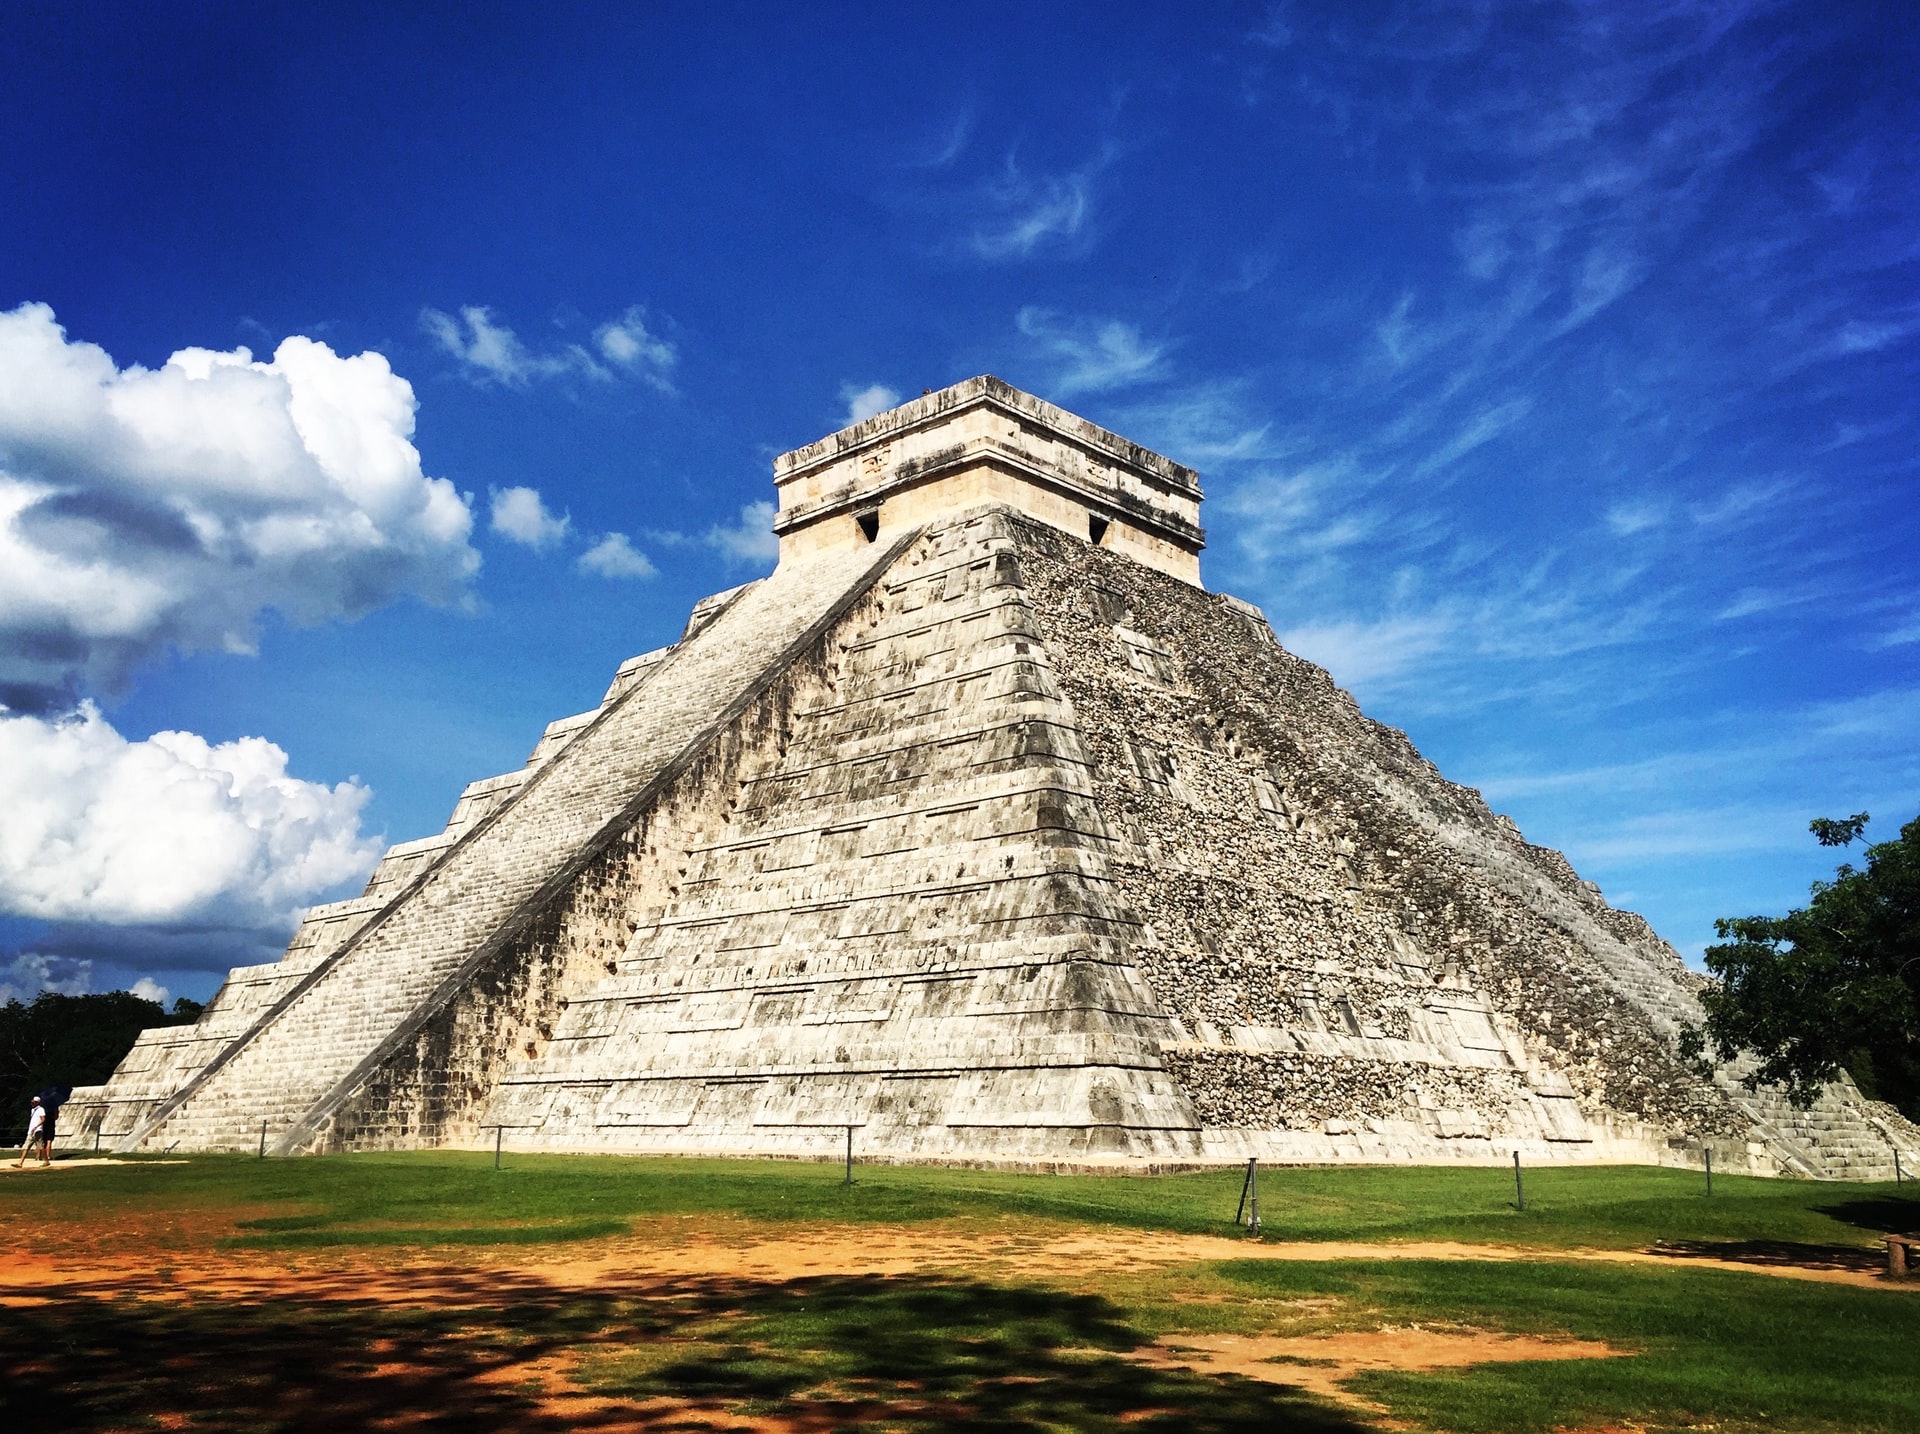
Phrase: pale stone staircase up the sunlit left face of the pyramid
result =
(308, 1045)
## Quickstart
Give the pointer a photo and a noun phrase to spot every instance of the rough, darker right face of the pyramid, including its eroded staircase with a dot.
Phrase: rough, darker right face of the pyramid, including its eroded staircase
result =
(1358, 957)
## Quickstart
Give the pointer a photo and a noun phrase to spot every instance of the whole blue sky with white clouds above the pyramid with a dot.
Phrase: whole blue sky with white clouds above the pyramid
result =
(1550, 370)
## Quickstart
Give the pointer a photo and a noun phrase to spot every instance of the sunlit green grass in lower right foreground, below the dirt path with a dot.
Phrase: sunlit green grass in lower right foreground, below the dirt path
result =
(1714, 1350)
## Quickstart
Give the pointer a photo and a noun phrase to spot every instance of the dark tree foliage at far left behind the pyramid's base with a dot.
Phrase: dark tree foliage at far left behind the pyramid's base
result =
(70, 1041)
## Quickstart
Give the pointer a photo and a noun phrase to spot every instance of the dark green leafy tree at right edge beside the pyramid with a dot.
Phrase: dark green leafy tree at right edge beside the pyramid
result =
(1829, 988)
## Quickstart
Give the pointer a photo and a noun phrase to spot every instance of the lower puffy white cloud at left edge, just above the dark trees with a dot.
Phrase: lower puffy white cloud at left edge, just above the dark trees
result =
(170, 830)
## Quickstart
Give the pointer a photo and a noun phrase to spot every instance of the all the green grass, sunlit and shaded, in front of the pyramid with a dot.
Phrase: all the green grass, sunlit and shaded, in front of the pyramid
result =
(1708, 1349)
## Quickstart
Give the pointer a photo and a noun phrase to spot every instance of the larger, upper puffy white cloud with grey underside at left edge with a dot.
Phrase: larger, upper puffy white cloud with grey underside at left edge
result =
(168, 510)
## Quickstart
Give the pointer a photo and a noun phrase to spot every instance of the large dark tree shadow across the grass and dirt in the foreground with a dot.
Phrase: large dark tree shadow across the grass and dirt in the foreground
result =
(464, 1350)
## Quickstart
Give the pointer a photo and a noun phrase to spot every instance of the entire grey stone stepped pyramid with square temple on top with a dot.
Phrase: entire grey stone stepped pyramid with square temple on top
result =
(980, 826)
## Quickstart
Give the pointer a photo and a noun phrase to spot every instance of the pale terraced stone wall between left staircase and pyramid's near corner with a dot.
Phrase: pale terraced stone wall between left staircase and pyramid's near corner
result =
(875, 907)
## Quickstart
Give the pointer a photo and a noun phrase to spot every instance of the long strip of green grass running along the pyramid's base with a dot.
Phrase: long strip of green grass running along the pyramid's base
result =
(446, 1197)
